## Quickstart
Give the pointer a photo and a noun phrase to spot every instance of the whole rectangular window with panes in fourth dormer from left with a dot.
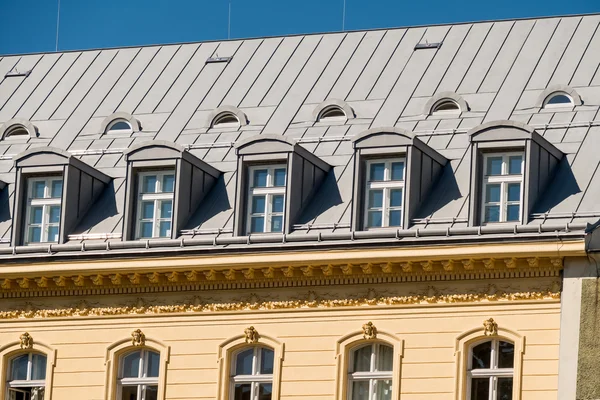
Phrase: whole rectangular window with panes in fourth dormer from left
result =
(384, 193)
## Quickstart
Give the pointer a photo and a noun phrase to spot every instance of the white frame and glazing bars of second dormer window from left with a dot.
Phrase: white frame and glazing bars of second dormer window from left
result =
(157, 198)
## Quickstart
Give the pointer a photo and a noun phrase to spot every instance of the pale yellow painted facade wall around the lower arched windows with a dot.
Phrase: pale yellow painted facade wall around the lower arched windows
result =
(309, 335)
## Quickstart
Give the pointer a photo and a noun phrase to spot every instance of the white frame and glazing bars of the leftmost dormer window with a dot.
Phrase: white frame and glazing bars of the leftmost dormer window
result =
(46, 203)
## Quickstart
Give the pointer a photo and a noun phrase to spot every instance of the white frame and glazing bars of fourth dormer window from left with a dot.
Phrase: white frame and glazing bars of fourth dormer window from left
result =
(386, 185)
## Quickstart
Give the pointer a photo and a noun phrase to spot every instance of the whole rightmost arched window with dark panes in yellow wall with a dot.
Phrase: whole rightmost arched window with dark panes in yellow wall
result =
(490, 370)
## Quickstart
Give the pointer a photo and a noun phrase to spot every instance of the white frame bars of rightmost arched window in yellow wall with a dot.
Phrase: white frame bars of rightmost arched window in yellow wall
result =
(492, 373)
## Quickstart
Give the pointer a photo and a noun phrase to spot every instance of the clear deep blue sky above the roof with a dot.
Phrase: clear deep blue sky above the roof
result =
(86, 24)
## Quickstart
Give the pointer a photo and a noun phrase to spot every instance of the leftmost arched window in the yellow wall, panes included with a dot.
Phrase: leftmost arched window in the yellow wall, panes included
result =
(27, 377)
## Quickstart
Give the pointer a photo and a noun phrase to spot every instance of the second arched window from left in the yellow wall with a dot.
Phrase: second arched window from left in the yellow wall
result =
(138, 375)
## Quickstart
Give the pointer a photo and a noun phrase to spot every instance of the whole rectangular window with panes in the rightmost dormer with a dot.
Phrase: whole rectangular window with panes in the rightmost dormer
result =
(502, 187)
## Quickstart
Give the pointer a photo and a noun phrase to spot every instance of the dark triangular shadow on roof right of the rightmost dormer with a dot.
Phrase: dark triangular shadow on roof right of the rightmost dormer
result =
(560, 186)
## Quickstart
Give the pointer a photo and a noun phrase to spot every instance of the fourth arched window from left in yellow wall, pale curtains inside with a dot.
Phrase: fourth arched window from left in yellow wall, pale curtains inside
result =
(370, 372)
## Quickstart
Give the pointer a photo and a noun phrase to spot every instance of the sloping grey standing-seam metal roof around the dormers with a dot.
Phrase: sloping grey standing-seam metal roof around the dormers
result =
(500, 69)
